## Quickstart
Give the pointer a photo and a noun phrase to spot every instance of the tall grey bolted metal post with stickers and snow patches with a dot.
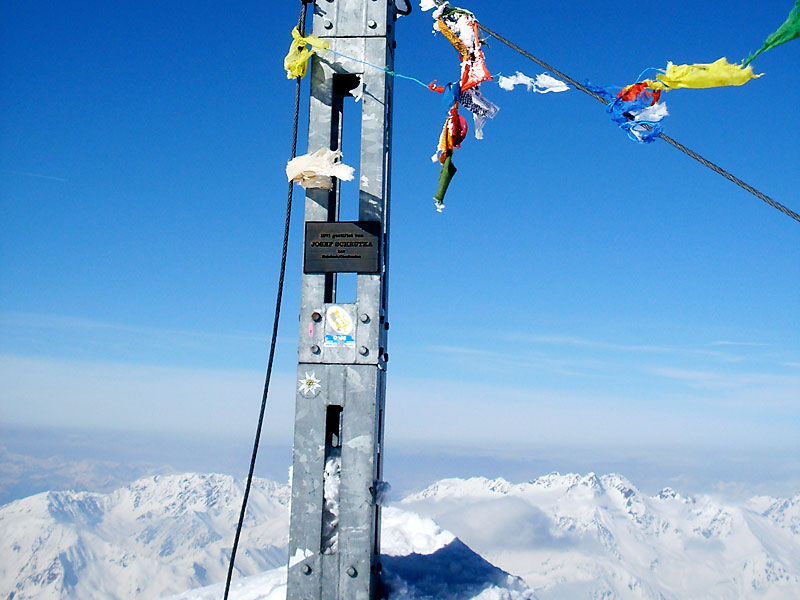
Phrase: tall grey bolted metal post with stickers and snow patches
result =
(334, 539)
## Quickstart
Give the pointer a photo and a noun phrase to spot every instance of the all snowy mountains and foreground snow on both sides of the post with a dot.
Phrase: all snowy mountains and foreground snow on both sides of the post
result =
(565, 536)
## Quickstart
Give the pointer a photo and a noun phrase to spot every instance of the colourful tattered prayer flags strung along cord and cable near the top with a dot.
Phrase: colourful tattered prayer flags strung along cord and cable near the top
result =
(635, 108)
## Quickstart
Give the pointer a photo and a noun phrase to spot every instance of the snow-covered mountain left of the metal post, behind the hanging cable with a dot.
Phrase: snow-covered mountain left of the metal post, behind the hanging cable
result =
(159, 535)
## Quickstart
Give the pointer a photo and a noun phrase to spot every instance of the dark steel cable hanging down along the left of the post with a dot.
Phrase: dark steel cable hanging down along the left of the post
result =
(301, 27)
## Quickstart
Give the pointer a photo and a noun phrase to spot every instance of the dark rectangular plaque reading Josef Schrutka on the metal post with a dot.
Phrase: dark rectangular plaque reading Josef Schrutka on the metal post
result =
(346, 247)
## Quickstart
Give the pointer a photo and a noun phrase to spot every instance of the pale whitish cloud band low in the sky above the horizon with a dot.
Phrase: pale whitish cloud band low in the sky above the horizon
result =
(95, 394)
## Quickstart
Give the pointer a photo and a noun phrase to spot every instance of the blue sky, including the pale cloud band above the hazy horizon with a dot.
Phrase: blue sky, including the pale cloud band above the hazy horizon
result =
(578, 288)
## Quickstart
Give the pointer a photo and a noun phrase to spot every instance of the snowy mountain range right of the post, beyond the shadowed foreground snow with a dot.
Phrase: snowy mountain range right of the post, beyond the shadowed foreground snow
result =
(572, 536)
